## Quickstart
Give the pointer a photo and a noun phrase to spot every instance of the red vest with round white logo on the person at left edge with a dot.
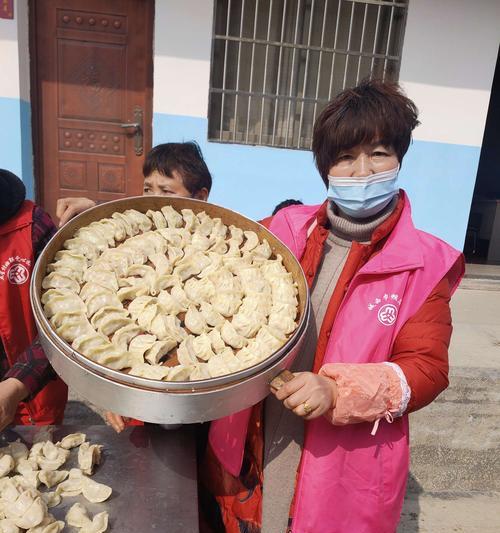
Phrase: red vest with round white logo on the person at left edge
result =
(17, 325)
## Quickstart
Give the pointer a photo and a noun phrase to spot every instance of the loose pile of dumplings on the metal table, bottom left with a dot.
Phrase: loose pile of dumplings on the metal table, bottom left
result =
(24, 504)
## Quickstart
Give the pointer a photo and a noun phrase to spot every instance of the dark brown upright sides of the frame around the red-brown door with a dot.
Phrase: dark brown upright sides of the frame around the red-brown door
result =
(37, 138)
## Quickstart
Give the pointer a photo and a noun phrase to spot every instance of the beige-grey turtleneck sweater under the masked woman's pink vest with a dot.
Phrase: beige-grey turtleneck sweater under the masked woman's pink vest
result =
(283, 430)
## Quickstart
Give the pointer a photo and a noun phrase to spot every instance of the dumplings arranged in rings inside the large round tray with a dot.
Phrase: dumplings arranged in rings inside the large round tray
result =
(170, 296)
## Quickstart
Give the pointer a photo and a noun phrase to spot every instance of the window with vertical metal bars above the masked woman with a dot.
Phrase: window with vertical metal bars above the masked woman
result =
(277, 63)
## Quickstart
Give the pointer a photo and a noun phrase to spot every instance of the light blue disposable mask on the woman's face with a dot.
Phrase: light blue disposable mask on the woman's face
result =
(363, 197)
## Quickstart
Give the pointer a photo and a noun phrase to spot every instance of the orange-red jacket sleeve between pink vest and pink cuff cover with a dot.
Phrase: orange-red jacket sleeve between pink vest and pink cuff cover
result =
(421, 348)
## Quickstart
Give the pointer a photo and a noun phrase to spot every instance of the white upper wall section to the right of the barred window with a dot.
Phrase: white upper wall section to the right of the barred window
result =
(449, 56)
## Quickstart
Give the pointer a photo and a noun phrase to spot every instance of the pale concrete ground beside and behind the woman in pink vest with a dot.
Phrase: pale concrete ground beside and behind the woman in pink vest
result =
(454, 484)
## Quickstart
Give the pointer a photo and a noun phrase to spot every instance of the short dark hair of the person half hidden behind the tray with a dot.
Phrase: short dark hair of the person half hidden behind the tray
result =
(186, 158)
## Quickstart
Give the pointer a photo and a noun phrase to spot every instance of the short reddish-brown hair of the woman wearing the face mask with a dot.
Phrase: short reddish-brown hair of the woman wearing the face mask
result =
(372, 111)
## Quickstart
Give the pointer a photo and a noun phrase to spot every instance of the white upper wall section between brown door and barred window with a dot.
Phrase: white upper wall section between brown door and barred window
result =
(182, 48)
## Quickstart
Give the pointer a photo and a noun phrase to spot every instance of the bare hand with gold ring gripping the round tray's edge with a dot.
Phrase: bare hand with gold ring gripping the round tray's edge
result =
(308, 395)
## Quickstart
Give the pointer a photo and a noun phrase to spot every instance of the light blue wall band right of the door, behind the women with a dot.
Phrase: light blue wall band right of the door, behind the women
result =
(438, 177)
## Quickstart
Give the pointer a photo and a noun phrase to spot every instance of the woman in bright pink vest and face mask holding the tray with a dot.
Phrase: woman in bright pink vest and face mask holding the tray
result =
(329, 451)
